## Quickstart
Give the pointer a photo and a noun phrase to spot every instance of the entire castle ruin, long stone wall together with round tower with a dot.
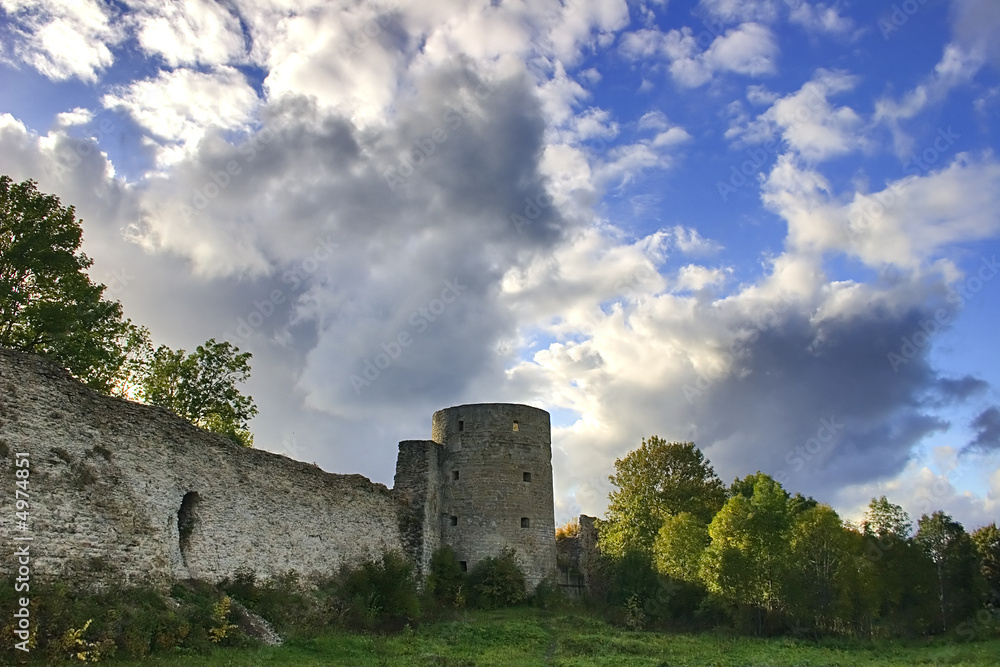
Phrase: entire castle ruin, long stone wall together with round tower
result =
(125, 493)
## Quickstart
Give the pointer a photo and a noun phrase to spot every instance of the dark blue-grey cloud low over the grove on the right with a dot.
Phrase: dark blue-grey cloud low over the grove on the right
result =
(820, 406)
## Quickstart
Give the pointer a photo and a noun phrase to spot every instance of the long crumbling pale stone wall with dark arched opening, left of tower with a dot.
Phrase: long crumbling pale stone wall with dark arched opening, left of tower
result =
(128, 493)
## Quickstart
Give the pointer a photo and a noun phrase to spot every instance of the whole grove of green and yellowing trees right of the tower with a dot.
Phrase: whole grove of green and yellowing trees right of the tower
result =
(769, 561)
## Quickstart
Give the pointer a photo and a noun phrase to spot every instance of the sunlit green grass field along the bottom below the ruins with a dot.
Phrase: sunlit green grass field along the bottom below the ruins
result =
(534, 637)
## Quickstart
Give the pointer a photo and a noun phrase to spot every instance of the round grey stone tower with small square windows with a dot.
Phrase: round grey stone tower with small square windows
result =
(496, 484)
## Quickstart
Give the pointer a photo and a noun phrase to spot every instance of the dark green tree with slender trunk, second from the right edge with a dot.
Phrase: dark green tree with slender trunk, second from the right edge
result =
(956, 564)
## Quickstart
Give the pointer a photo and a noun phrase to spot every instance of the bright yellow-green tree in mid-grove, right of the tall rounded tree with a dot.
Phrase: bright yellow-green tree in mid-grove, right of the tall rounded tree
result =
(748, 558)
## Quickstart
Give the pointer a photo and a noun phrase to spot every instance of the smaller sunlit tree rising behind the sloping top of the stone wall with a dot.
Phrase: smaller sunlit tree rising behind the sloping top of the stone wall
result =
(201, 387)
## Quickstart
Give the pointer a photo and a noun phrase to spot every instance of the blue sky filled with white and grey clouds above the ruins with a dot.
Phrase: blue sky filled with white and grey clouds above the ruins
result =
(769, 227)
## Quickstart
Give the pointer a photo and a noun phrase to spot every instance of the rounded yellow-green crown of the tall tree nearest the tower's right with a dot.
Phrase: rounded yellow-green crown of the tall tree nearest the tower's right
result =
(657, 480)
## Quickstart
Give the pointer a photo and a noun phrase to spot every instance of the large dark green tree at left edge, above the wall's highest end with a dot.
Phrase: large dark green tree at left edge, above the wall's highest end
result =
(48, 304)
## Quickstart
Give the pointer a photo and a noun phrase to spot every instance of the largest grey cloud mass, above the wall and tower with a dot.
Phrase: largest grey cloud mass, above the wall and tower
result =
(383, 247)
